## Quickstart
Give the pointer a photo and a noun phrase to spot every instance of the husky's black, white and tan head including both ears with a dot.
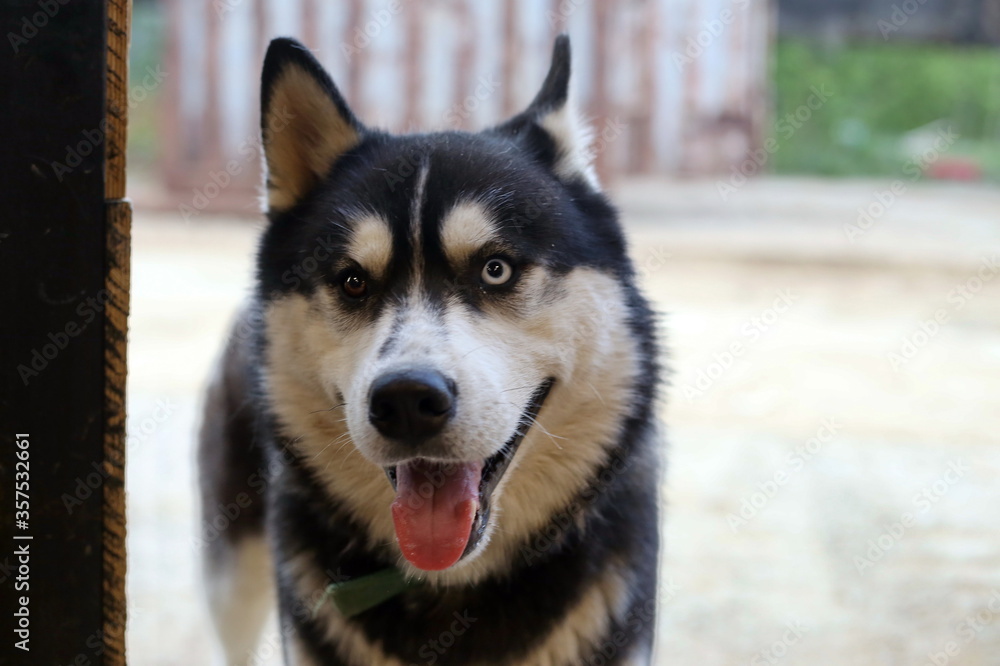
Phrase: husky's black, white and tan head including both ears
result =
(434, 304)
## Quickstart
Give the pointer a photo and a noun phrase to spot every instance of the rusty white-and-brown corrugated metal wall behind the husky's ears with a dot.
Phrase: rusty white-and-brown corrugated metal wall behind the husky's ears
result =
(673, 87)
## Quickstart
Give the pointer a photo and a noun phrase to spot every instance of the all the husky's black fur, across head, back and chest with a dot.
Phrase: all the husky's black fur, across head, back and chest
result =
(560, 223)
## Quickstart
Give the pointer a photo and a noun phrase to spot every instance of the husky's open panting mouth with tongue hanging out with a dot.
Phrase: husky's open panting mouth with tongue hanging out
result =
(442, 508)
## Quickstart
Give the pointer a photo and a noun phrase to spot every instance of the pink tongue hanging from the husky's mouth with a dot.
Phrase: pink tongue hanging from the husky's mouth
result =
(434, 509)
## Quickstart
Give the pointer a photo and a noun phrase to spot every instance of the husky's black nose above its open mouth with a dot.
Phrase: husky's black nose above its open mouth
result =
(411, 405)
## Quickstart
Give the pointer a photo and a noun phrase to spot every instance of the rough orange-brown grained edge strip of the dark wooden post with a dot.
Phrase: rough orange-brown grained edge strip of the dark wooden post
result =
(117, 263)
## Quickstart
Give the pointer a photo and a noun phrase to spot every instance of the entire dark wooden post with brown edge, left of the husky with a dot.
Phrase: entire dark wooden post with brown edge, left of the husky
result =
(64, 244)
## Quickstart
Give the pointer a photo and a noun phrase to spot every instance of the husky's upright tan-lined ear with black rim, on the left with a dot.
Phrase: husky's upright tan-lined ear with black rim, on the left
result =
(305, 123)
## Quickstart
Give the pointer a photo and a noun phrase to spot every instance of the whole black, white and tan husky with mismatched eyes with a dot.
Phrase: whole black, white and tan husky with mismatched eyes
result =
(431, 439)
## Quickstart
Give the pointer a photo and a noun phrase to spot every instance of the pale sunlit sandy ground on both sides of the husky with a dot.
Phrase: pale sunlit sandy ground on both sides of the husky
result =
(832, 492)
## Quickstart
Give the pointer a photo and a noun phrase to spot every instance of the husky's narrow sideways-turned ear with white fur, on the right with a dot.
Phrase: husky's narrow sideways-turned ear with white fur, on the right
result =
(551, 126)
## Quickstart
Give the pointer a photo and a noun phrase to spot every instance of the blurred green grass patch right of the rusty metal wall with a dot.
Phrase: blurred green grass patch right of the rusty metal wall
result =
(882, 92)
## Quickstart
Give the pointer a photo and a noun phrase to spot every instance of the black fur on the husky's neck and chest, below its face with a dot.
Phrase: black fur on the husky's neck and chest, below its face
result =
(512, 613)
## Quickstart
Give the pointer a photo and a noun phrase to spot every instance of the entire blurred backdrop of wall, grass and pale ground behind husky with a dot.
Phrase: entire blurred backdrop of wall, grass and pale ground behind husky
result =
(811, 192)
